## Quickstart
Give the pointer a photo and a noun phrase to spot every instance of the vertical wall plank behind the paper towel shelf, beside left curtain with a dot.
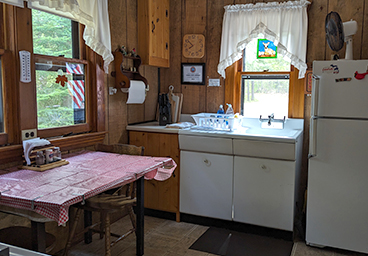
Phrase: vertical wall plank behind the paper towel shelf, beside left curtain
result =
(117, 108)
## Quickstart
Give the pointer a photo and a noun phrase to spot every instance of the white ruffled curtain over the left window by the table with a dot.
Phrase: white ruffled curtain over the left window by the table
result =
(91, 13)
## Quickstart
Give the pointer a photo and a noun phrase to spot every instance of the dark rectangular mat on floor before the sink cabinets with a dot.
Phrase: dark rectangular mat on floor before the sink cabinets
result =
(231, 243)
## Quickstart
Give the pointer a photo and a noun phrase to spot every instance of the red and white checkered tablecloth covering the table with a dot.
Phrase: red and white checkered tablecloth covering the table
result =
(52, 192)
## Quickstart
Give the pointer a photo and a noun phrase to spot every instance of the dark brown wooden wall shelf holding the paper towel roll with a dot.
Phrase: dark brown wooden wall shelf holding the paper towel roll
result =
(127, 69)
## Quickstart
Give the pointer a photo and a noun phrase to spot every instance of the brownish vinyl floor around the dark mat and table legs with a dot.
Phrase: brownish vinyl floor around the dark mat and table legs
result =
(169, 238)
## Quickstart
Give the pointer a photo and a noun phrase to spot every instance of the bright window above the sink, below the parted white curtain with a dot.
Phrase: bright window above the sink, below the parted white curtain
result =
(264, 84)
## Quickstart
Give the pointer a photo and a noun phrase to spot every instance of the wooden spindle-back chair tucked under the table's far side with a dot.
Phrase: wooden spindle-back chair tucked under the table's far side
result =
(118, 200)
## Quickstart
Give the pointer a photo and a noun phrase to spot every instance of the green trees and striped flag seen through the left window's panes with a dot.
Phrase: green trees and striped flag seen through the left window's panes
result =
(57, 104)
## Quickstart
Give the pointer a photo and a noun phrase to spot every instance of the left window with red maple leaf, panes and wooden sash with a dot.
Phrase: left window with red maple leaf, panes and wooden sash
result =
(61, 85)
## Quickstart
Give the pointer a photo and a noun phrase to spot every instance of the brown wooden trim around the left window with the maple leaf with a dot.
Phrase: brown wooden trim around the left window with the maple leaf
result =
(20, 98)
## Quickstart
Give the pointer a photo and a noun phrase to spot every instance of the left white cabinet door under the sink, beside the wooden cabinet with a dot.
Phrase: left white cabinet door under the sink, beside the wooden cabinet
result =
(206, 184)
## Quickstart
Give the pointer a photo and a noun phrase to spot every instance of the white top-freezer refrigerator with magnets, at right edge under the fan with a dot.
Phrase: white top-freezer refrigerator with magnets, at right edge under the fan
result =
(337, 201)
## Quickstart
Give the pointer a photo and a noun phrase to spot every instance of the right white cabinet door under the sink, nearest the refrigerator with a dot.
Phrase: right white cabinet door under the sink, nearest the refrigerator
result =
(264, 192)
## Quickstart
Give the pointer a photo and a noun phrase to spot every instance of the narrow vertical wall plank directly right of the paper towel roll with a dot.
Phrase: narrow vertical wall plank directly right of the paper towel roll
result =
(150, 103)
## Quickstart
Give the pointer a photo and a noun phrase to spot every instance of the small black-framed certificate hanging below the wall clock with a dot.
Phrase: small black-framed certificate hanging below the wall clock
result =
(193, 73)
